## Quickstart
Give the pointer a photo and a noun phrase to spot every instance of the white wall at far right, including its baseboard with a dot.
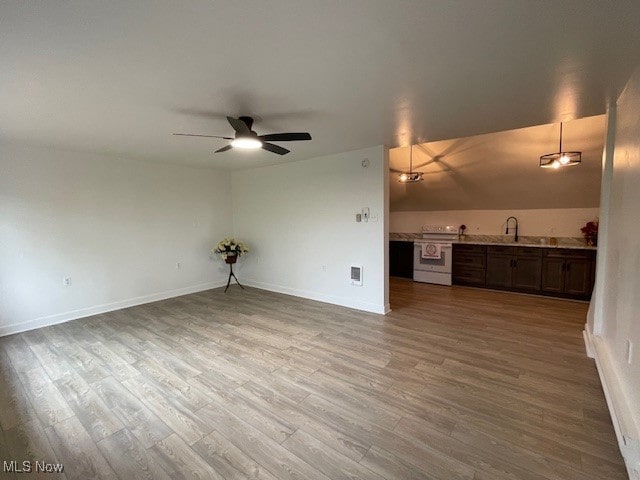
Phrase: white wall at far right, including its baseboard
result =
(617, 306)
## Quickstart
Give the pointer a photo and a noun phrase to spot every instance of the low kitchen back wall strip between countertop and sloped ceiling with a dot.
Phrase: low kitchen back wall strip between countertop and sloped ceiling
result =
(556, 222)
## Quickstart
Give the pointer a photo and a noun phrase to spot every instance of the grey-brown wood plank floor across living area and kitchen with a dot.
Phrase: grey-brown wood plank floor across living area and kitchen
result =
(455, 383)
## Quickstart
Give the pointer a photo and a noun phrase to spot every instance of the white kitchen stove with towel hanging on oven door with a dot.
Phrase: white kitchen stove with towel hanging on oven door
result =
(432, 254)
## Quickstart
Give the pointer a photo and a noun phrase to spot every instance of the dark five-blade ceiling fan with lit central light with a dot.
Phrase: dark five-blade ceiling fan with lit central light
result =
(246, 138)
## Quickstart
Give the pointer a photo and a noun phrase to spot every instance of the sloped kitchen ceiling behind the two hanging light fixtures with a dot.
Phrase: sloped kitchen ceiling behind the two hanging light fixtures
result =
(500, 171)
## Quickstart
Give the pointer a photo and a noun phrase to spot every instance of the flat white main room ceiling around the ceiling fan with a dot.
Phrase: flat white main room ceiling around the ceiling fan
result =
(118, 77)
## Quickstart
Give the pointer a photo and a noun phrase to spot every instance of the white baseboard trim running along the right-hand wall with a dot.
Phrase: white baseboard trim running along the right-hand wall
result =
(622, 414)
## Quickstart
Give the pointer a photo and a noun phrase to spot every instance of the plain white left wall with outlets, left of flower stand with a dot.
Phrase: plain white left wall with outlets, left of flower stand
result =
(117, 227)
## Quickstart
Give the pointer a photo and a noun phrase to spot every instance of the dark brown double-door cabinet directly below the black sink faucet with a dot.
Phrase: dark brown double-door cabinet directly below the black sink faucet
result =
(514, 268)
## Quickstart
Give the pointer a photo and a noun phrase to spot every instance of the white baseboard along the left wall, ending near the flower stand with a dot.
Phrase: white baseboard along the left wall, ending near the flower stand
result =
(106, 307)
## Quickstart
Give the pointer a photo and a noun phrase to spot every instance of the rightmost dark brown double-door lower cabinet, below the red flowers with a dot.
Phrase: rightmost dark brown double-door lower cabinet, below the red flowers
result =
(568, 273)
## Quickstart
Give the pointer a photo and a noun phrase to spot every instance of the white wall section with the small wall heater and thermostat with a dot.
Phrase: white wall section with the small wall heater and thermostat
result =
(299, 221)
